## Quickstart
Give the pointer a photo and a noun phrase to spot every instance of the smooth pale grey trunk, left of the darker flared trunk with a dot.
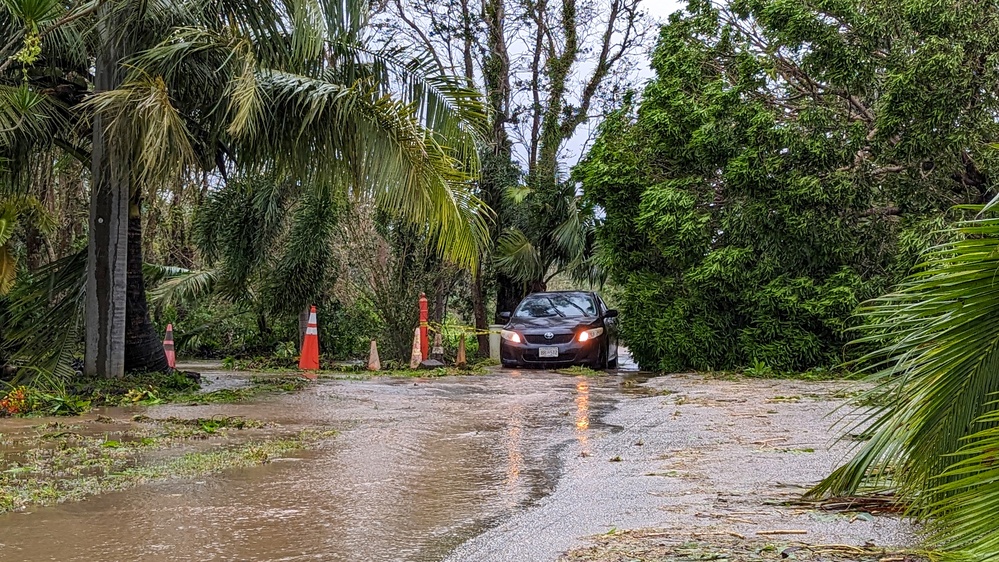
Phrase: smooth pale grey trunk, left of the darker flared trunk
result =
(108, 235)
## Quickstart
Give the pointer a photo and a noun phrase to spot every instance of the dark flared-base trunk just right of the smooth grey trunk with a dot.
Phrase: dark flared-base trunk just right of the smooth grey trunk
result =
(143, 348)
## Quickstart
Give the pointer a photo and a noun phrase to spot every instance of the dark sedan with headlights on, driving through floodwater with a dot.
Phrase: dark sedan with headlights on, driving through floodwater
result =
(560, 328)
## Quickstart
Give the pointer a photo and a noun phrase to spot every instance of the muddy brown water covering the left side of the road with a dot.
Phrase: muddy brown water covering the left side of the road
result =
(419, 468)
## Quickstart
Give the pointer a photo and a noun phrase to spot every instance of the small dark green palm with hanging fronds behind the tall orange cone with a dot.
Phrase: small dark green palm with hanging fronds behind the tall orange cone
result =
(268, 246)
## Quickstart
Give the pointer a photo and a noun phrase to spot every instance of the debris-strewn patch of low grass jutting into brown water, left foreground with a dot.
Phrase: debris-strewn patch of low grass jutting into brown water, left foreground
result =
(69, 462)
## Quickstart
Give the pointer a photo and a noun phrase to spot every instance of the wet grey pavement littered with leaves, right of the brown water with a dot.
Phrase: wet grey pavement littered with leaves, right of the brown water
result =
(693, 468)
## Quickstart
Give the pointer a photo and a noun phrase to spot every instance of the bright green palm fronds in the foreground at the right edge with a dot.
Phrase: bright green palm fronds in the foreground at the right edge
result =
(934, 424)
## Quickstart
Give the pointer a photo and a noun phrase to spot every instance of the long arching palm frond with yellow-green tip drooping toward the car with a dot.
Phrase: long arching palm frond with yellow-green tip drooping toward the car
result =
(336, 135)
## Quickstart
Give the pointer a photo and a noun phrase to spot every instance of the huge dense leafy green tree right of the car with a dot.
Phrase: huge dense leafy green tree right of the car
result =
(789, 161)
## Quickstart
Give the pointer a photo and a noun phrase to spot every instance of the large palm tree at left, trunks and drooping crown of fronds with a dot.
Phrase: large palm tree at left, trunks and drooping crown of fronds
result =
(279, 87)
